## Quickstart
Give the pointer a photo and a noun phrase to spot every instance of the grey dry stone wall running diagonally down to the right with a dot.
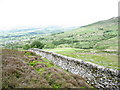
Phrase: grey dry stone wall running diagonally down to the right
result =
(95, 75)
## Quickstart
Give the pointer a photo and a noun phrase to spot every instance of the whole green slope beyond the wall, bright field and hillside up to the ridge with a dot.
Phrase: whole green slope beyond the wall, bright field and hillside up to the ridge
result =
(97, 43)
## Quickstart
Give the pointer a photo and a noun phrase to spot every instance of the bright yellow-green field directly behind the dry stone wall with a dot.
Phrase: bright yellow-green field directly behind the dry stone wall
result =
(108, 60)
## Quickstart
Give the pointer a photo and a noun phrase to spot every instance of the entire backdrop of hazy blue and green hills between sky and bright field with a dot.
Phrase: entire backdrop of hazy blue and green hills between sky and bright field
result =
(99, 35)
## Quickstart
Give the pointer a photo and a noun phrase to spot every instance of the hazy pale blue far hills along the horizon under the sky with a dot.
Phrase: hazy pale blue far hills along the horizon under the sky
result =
(34, 30)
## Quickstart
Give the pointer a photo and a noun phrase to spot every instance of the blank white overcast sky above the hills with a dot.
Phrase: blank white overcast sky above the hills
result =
(32, 13)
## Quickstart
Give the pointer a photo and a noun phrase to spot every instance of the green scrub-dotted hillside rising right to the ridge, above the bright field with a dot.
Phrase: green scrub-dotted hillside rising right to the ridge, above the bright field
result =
(98, 35)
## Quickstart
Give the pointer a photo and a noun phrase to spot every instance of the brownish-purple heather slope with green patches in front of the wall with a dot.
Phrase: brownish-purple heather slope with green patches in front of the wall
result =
(23, 69)
